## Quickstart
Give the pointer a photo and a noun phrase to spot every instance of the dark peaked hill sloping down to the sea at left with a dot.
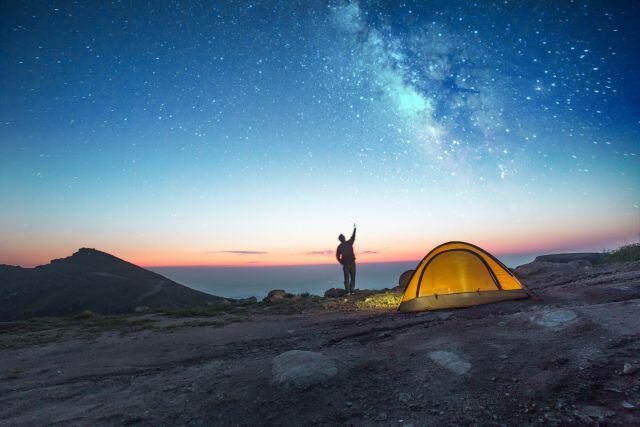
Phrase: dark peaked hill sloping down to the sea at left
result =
(89, 280)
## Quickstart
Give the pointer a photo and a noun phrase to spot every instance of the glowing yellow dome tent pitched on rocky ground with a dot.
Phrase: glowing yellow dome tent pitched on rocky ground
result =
(459, 274)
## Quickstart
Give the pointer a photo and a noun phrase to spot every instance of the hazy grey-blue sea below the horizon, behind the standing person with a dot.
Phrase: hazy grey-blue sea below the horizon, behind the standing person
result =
(242, 282)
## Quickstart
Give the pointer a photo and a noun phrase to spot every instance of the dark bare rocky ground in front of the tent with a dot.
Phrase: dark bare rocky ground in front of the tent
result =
(570, 355)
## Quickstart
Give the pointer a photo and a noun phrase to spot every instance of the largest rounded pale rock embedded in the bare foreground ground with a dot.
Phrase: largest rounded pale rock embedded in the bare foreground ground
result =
(302, 369)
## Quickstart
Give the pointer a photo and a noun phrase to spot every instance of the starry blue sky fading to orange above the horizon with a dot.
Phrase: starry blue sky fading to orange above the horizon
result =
(253, 133)
